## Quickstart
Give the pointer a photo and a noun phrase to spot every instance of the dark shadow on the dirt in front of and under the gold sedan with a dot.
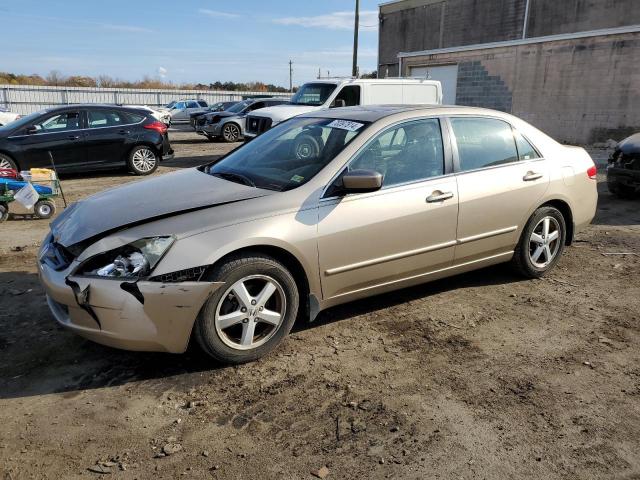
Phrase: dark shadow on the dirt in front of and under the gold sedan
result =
(38, 357)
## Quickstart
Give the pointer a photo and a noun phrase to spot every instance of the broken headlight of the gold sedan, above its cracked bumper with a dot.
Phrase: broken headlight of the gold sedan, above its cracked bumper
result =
(134, 260)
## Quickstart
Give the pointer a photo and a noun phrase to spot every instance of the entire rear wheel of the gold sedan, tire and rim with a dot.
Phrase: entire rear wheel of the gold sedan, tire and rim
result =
(541, 243)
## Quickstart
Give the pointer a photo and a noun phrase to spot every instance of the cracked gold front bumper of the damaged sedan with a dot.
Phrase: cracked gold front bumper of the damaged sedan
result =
(133, 315)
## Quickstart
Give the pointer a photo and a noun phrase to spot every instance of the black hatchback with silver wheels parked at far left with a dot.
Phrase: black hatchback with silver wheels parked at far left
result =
(86, 137)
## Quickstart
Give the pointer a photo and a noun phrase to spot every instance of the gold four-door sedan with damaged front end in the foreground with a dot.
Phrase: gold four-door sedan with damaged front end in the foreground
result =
(324, 208)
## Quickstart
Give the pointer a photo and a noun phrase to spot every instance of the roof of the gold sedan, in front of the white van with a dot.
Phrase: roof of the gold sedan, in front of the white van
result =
(373, 113)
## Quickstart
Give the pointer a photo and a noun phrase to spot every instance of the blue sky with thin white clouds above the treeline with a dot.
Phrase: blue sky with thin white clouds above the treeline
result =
(187, 41)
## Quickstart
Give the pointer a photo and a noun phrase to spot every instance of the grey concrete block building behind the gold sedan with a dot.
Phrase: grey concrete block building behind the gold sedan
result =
(570, 67)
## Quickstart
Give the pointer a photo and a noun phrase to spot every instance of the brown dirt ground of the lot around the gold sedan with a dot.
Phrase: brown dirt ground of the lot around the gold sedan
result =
(484, 376)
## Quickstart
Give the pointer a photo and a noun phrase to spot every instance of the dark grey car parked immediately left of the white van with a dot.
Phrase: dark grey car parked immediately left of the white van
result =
(230, 124)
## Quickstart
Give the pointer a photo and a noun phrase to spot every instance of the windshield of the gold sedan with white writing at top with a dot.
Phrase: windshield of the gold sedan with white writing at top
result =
(289, 154)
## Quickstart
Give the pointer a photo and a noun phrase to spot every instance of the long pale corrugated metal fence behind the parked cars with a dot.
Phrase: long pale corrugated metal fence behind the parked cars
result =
(25, 99)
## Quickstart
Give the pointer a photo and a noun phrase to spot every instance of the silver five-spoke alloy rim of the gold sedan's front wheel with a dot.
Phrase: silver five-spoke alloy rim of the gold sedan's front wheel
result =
(250, 312)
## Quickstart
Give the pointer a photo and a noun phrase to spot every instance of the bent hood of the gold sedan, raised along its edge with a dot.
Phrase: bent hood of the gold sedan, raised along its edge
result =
(145, 201)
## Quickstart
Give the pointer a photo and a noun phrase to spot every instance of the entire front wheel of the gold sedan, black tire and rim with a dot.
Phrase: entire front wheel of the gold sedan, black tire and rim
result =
(251, 313)
